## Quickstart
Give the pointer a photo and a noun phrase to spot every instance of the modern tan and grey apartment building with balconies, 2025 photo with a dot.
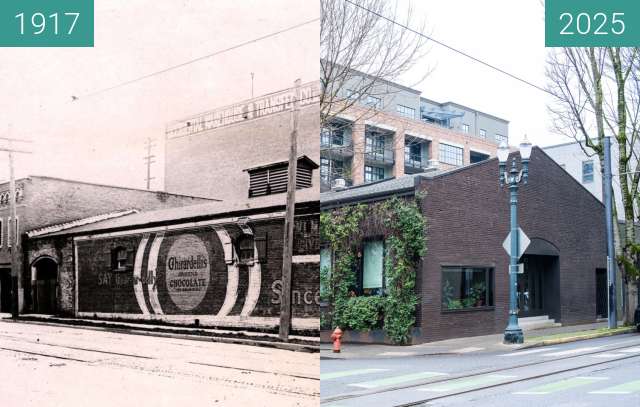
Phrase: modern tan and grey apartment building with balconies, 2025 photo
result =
(392, 131)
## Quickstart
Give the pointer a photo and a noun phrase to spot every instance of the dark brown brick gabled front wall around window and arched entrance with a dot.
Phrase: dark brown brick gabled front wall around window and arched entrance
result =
(468, 218)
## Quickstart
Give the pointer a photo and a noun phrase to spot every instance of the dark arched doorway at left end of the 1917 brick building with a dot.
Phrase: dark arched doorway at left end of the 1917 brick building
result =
(44, 280)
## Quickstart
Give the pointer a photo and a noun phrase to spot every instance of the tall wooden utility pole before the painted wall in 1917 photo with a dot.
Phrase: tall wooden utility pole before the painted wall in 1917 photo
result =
(285, 305)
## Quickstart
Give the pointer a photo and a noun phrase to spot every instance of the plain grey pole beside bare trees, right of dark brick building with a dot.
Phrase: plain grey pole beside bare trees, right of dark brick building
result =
(608, 213)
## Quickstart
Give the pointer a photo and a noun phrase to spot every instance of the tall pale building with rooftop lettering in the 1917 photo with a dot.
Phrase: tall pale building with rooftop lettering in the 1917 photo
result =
(207, 153)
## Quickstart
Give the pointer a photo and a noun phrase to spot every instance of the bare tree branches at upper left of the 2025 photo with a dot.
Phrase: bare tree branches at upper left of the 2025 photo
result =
(362, 50)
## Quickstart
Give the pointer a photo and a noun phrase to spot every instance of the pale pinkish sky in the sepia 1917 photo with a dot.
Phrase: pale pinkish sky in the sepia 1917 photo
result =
(101, 138)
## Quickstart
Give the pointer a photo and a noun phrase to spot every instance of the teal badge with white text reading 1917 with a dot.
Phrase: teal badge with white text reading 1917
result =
(46, 23)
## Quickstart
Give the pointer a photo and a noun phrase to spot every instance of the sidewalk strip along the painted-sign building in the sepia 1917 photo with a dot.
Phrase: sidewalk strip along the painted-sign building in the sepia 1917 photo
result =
(244, 337)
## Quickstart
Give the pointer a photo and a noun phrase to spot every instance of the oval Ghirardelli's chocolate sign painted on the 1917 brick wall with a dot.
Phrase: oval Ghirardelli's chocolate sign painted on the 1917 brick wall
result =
(187, 271)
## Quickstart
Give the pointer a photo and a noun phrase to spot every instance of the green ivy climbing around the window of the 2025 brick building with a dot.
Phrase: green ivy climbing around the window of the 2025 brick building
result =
(405, 229)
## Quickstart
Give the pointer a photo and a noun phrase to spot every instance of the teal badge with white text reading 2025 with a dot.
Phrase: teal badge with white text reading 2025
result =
(592, 23)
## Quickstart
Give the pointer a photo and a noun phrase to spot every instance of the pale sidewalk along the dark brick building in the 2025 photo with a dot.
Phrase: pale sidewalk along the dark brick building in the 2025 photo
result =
(488, 343)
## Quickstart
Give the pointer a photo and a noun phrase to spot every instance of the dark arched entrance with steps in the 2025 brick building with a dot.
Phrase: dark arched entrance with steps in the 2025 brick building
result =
(538, 292)
